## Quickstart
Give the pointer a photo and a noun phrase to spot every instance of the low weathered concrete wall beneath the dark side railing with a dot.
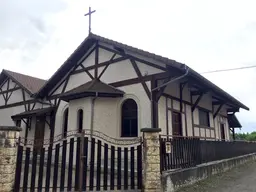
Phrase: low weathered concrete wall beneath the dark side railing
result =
(173, 180)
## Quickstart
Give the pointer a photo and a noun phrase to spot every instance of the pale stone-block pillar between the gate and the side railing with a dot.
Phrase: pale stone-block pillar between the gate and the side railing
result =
(151, 160)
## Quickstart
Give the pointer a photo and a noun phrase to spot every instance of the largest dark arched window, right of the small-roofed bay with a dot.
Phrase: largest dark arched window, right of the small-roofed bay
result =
(129, 119)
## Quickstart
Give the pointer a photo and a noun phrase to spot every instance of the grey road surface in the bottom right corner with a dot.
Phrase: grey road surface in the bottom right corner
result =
(240, 179)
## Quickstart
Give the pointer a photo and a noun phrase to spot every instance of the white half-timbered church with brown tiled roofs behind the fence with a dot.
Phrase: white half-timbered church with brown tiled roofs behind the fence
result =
(115, 89)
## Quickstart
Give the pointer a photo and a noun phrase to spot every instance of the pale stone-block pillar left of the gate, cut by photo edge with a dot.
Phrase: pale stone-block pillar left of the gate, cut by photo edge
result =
(8, 150)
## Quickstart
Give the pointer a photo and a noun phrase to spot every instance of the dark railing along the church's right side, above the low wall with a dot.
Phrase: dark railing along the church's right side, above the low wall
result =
(183, 152)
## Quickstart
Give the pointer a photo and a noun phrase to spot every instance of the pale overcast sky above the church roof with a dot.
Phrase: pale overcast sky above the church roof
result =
(36, 37)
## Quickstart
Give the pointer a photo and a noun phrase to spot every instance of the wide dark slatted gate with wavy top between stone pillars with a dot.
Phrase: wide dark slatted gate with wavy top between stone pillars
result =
(87, 161)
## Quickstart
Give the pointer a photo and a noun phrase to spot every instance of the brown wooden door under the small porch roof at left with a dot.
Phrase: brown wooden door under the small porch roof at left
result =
(39, 132)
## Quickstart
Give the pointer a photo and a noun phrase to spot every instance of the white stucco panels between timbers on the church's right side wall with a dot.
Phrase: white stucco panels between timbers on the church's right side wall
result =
(192, 118)
